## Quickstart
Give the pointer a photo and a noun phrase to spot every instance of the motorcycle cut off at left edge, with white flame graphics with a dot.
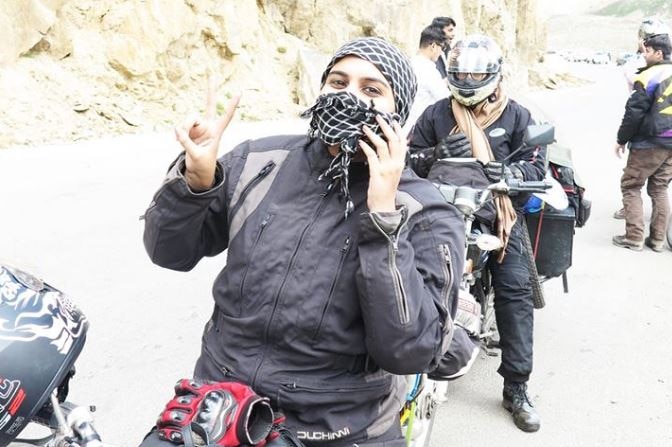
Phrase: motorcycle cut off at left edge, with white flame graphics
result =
(42, 333)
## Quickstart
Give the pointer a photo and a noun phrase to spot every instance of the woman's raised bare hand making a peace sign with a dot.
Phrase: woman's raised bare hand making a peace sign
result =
(200, 139)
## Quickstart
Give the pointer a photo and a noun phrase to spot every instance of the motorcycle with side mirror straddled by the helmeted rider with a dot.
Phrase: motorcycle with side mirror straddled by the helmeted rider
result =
(476, 291)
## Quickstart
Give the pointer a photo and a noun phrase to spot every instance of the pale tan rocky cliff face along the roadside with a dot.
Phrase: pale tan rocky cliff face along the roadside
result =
(78, 68)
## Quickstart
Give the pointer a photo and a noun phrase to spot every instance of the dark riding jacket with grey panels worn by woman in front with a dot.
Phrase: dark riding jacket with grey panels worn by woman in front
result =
(317, 312)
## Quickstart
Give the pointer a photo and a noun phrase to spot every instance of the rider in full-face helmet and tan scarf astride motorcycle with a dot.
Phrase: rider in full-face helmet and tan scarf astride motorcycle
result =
(461, 127)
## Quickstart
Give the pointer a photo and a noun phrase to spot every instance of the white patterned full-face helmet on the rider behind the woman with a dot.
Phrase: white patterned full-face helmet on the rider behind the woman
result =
(478, 54)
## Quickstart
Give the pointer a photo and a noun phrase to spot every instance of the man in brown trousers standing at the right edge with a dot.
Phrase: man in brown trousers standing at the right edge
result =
(647, 127)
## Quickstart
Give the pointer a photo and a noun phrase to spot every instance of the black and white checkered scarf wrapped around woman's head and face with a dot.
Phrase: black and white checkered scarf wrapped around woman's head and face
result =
(337, 118)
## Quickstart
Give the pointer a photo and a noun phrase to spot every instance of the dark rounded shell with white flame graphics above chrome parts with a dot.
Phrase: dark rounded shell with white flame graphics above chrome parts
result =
(41, 334)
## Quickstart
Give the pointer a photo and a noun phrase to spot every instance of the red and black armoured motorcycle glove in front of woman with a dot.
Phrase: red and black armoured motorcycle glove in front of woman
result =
(227, 414)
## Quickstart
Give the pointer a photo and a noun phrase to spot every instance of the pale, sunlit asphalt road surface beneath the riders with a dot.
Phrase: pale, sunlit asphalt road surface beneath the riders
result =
(603, 363)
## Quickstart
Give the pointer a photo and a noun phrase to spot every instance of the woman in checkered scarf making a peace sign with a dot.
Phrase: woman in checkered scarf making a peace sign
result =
(342, 265)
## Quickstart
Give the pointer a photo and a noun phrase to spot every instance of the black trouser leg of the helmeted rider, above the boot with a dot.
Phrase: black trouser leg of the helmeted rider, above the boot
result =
(514, 308)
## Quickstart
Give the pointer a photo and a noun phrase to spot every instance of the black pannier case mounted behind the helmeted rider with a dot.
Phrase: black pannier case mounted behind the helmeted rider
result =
(553, 247)
